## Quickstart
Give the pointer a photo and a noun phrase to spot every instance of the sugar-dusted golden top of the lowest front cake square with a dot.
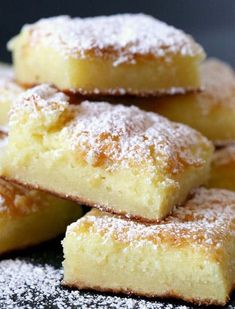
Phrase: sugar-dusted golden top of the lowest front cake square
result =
(206, 220)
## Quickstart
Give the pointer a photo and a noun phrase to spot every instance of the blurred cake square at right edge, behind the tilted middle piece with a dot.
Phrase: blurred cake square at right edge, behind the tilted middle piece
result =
(212, 112)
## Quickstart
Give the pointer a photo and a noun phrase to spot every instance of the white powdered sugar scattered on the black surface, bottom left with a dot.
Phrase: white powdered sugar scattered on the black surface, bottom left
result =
(25, 284)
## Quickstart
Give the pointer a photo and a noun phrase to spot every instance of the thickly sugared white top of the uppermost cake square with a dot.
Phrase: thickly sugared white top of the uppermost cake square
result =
(122, 37)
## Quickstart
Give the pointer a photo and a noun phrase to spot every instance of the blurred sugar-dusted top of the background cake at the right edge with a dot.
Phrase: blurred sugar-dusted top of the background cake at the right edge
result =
(218, 79)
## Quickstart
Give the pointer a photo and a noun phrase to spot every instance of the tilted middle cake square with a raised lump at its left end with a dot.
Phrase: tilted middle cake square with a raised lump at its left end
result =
(116, 158)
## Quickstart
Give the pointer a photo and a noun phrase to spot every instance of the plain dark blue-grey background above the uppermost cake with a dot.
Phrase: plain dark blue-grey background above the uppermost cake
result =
(211, 22)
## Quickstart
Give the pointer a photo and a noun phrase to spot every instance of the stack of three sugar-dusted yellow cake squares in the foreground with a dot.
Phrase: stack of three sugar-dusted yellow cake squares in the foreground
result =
(153, 232)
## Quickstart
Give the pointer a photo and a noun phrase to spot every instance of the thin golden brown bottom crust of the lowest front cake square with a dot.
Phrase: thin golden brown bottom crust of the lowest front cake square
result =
(170, 294)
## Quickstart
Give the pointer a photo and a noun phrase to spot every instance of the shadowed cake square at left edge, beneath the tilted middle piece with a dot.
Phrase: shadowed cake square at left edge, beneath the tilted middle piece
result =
(29, 217)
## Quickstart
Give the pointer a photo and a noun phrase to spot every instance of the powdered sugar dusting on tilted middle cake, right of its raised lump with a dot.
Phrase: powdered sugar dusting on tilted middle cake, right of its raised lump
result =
(128, 136)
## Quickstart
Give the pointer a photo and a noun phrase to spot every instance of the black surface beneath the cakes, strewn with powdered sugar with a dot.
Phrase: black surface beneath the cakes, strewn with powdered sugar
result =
(59, 297)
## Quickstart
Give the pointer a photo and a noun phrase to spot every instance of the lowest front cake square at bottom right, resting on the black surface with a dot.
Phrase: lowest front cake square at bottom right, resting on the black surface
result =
(190, 255)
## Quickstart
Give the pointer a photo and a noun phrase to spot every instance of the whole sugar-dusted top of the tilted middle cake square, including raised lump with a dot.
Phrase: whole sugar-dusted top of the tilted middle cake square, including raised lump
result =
(110, 135)
